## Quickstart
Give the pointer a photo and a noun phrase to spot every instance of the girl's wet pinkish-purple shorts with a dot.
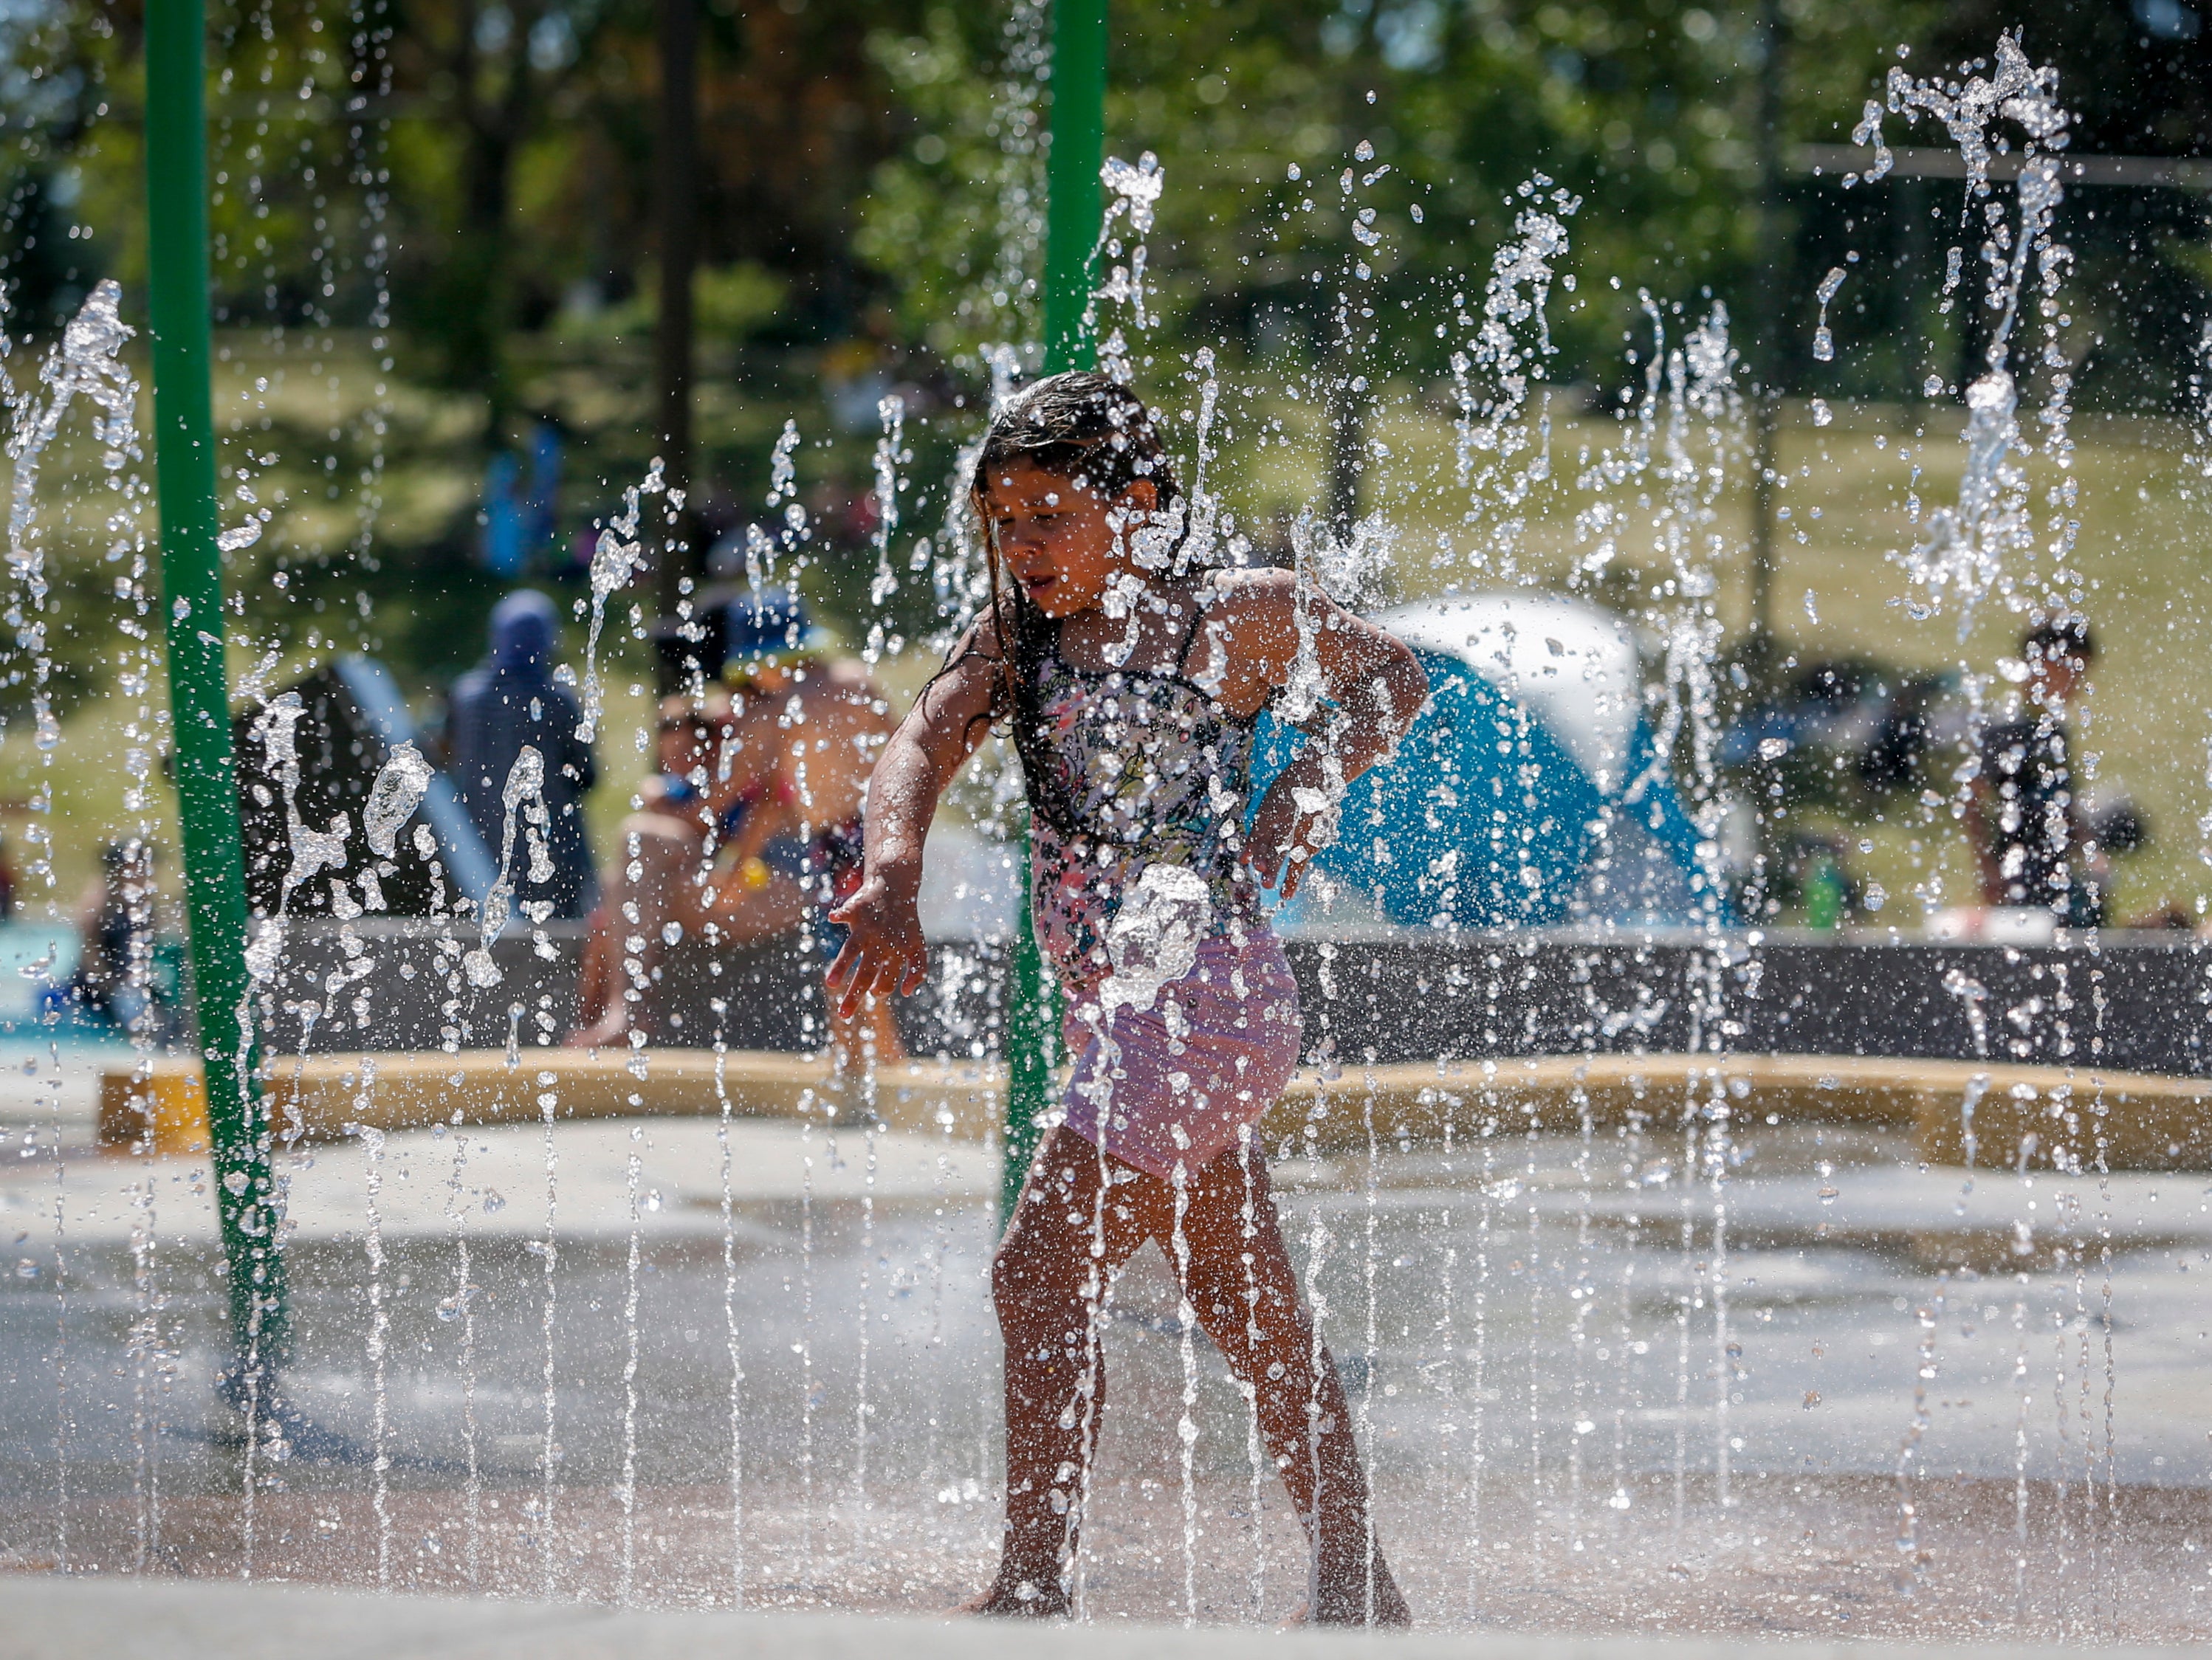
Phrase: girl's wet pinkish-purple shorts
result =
(1171, 1086)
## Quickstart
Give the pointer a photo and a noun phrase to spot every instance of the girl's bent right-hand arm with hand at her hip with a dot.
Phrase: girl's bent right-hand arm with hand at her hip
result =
(1271, 620)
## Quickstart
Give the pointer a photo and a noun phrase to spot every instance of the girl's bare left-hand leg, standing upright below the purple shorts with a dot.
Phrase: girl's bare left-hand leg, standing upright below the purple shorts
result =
(1047, 1285)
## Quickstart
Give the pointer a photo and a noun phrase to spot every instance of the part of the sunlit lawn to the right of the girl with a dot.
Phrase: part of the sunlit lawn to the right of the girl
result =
(2145, 549)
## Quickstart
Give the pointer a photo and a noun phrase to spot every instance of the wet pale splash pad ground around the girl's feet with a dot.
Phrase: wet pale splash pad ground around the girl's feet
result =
(1536, 1383)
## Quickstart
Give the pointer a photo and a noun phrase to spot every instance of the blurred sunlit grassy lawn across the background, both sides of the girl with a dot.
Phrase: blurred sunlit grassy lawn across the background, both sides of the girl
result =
(2142, 547)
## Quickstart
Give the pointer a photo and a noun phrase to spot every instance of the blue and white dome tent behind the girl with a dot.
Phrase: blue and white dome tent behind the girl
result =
(1530, 795)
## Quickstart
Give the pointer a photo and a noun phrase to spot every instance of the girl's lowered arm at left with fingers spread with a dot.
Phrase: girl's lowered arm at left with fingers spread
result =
(884, 947)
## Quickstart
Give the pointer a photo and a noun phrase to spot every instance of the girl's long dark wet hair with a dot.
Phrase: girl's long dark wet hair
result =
(1094, 432)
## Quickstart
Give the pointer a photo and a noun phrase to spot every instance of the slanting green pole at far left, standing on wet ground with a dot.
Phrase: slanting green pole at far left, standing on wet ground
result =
(198, 689)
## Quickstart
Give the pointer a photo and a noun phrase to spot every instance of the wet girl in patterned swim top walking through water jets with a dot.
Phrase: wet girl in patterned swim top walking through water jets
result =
(1131, 686)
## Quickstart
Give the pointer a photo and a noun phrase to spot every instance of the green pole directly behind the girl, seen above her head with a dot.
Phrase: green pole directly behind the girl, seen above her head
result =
(1072, 233)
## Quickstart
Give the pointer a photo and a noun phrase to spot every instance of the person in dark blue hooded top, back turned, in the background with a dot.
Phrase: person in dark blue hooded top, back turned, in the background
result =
(503, 704)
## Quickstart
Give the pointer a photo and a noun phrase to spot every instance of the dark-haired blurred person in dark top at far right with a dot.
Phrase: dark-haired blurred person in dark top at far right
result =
(2038, 841)
